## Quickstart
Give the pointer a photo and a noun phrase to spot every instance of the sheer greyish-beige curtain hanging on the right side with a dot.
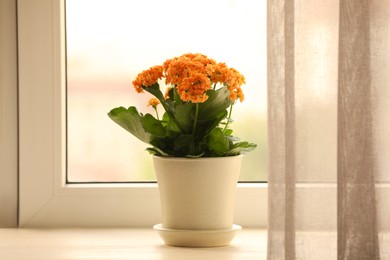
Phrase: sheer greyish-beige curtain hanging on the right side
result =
(329, 129)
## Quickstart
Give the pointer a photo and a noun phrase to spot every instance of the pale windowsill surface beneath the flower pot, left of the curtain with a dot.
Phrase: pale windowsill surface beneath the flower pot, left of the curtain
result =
(119, 243)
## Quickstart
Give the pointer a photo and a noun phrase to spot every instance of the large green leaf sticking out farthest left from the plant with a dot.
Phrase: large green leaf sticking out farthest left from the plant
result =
(130, 120)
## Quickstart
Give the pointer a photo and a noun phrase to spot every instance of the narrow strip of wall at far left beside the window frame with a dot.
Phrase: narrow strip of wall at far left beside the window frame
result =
(8, 115)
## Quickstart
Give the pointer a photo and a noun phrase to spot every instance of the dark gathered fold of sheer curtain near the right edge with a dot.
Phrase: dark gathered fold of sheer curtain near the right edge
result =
(357, 229)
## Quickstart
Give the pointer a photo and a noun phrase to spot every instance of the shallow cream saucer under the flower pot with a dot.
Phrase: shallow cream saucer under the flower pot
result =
(197, 238)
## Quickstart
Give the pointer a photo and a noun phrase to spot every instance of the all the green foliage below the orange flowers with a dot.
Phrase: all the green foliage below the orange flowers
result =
(172, 136)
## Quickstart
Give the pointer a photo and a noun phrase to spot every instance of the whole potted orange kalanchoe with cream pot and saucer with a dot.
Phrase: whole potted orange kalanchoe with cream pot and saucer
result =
(196, 157)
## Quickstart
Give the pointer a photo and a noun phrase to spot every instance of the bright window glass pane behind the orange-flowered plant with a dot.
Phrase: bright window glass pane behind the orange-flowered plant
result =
(110, 41)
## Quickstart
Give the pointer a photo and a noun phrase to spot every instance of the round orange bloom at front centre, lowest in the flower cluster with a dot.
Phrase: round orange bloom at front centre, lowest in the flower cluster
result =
(193, 88)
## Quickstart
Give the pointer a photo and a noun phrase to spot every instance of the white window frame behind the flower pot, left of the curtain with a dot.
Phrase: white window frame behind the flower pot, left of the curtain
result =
(45, 200)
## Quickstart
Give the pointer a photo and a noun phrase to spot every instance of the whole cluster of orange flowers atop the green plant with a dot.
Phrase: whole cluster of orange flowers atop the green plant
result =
(193, 75)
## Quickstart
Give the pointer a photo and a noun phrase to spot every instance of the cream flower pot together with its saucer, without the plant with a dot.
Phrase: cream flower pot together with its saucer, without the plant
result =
(197, 197)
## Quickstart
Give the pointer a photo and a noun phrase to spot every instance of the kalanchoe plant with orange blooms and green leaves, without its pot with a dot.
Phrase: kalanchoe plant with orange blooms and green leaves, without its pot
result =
(198, 106)
